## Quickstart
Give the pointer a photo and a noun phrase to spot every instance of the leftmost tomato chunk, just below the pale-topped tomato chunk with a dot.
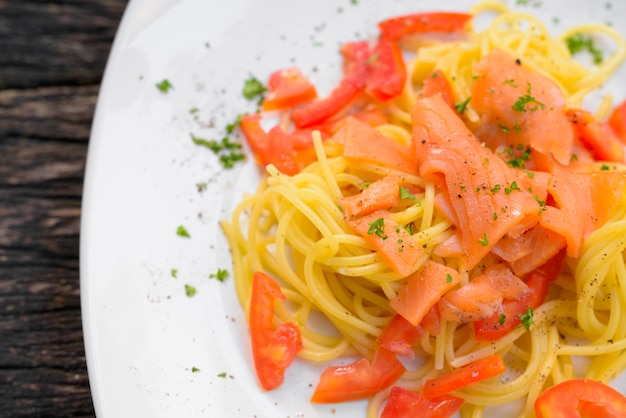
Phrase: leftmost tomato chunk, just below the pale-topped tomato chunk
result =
(273, 147)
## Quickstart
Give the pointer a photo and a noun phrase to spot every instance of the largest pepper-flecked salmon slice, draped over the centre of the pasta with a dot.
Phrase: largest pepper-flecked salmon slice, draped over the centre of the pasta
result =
(486, 196)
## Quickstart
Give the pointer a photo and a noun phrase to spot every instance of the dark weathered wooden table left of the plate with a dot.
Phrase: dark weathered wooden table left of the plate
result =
(52, 56)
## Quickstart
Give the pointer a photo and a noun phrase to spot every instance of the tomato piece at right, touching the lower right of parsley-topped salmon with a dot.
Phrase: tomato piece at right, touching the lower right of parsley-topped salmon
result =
(597, 136)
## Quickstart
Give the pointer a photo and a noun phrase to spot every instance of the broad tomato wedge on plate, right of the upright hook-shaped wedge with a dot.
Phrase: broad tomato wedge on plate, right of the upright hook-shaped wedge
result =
(359, 380)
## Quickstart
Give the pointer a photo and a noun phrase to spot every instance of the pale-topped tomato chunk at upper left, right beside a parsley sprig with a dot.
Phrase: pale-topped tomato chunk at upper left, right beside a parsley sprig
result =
(287, 89)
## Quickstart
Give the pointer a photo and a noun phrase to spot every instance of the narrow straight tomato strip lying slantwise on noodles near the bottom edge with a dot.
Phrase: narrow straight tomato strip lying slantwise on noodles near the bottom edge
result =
(464, 376)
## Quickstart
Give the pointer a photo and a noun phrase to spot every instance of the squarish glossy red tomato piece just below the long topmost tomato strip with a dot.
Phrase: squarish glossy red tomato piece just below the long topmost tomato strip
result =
(388, 72)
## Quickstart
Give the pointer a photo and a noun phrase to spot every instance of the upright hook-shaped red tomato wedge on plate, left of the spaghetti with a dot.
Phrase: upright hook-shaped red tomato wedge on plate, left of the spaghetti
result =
(273, 348)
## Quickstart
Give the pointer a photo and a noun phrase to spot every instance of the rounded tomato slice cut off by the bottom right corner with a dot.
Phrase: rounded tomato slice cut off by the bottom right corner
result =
(580, 398)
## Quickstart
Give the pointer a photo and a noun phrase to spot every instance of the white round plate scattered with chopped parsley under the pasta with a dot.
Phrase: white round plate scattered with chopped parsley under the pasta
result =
(143, 335)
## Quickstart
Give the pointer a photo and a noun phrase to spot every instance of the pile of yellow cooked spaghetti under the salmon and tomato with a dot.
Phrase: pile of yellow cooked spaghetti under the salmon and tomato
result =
(339, 290)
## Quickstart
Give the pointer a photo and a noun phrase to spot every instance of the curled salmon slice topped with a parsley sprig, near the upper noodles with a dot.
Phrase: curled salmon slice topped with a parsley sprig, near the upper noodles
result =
(519, 106)
